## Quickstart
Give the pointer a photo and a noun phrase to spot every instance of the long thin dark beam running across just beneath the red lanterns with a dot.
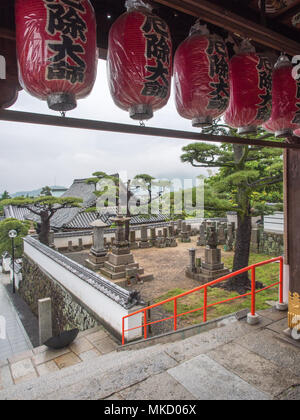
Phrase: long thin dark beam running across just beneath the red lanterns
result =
(56, 121)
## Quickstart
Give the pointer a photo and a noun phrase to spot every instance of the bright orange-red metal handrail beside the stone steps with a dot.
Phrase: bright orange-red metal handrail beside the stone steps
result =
(205, 306)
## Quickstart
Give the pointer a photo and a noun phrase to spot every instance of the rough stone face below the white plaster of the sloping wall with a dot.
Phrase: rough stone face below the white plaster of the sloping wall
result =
(66, 312)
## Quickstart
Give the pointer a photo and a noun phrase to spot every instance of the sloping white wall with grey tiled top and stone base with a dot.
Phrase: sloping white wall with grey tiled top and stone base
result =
(80, 296)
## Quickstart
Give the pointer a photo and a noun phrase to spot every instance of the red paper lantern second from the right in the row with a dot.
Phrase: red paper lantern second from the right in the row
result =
(250, 90)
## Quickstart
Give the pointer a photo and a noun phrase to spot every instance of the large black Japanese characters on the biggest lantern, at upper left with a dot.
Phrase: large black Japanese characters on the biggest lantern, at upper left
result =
(65, 19)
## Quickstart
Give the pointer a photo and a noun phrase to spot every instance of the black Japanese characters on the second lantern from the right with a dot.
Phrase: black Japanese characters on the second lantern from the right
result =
(264, 68)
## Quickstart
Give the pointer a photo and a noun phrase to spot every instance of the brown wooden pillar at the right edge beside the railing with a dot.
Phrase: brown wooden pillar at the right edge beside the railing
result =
(292, 233)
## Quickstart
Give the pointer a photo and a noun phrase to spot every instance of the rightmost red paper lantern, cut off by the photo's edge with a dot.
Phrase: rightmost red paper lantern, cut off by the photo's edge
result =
(285, 115)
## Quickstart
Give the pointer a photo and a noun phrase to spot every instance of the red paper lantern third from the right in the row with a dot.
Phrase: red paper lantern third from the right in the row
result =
(201, 77)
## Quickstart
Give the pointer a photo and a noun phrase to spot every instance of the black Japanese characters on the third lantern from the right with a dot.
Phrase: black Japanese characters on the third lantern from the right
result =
(217, 55)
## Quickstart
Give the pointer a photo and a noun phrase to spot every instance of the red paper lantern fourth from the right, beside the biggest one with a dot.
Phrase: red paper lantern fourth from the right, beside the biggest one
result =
(139, 61)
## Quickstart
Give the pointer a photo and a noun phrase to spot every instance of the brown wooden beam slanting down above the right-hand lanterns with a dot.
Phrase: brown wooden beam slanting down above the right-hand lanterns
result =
(234, 23)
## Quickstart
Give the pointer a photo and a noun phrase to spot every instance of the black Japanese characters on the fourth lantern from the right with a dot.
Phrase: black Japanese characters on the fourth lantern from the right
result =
(157, 48)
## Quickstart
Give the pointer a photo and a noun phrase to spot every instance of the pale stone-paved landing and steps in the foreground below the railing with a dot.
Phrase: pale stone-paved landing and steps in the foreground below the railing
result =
(234, 361)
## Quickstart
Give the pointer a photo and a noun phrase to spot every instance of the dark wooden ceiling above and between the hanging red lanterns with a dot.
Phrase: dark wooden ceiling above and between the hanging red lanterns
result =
(272, 24)
